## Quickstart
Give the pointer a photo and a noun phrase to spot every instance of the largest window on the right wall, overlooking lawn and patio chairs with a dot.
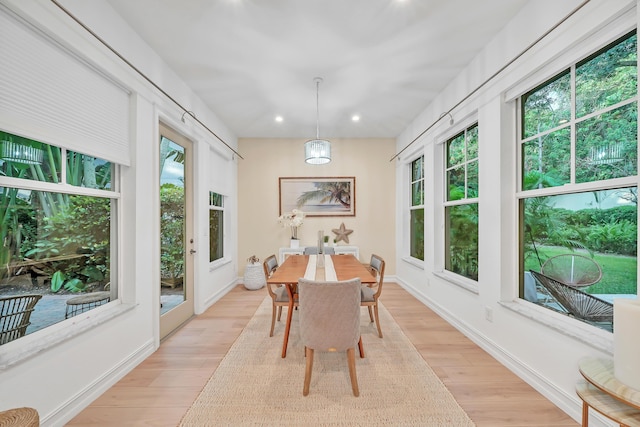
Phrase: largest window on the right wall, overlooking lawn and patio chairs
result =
(579, 173)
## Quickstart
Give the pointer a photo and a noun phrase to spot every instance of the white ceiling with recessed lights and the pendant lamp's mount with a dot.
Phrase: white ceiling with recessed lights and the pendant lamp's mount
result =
(253, 60)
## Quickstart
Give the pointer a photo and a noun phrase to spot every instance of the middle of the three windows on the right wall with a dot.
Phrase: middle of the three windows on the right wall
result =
(461, 204)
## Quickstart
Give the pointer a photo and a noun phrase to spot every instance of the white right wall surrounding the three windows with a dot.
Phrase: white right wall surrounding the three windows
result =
(540, 346)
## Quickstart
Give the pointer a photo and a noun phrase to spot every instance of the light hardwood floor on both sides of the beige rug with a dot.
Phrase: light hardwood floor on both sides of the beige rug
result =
(162, 388)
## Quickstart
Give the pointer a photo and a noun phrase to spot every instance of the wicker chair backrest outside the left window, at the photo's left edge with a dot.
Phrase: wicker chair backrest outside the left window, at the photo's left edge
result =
(15, 312)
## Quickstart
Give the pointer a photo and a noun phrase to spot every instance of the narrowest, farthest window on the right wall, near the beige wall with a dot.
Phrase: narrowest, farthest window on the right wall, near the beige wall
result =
(416, 227)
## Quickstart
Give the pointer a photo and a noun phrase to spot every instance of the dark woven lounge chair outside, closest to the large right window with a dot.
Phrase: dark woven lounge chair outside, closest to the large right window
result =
(578, 304)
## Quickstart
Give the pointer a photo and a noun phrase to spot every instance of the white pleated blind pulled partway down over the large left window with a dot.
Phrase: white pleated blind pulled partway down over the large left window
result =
(50, 95)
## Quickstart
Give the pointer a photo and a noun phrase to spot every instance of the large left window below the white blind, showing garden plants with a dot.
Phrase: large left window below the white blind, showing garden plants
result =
(56, 240)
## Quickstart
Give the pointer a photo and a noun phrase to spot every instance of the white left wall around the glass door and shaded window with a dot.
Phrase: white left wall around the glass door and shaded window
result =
(78, 359)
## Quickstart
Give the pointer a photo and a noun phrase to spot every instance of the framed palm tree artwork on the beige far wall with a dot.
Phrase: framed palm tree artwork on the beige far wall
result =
(330, 196)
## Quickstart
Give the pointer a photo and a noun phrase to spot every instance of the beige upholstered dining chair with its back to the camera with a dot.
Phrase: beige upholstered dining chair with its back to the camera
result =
(330, 321)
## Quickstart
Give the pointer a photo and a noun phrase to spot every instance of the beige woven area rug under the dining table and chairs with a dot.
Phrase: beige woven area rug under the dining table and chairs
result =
(254, 386)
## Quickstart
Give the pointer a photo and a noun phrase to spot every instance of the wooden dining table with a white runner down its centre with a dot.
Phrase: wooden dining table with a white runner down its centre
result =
(294, 267)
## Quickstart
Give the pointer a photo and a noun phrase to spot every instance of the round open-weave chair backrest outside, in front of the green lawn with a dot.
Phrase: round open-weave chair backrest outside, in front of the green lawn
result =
(572, 269)
